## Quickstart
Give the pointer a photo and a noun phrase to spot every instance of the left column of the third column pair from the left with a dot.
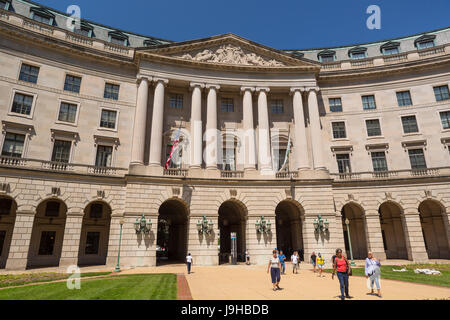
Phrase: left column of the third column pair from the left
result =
(249, 130)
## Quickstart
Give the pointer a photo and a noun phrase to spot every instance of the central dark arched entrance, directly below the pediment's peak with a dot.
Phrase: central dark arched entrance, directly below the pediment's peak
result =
(232, 218)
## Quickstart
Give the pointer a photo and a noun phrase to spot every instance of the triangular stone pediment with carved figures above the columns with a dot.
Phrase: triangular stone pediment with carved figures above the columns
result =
(227, 50)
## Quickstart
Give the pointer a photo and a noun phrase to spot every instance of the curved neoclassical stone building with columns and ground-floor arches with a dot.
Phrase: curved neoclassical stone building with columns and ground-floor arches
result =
(89, 115)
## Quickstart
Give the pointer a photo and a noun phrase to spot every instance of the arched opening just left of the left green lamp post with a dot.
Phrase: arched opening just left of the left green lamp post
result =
(94, 237)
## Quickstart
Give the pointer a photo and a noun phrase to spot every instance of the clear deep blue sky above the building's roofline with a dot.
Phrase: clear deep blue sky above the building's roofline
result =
(282, 24)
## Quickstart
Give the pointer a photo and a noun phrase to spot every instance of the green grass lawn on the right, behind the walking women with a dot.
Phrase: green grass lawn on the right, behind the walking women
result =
(442, 280)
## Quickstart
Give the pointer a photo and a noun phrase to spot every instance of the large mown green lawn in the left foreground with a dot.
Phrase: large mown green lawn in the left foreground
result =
(126, 287)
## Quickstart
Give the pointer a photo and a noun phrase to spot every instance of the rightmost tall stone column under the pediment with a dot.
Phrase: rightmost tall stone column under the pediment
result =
(316, 132)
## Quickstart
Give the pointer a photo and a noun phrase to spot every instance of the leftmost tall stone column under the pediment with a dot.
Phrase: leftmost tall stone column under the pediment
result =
(140, 123)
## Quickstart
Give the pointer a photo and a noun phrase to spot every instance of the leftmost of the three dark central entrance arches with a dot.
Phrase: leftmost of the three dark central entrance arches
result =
(172, 234)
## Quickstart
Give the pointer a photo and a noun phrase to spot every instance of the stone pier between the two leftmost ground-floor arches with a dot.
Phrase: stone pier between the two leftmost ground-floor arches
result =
(20, 242)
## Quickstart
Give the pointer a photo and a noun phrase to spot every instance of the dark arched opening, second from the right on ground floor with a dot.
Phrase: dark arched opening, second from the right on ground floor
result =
(392, 231)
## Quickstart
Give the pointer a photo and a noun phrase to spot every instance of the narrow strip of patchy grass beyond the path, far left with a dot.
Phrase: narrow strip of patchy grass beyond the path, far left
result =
(11, 280)
